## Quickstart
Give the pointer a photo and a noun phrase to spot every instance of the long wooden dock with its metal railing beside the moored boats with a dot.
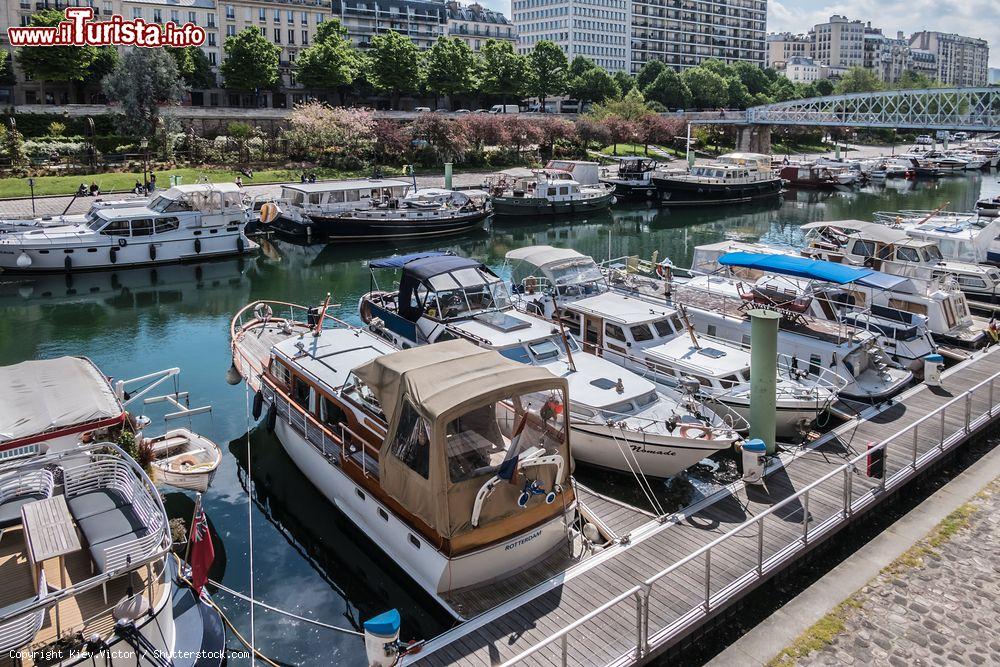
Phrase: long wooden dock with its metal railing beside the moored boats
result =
(668, 577)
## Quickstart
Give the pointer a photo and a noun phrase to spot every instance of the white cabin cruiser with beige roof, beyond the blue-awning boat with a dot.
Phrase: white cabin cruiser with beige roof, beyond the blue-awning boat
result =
(892, 250)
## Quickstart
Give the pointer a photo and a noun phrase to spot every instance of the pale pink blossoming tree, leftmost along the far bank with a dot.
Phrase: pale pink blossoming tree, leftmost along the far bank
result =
(317, 127)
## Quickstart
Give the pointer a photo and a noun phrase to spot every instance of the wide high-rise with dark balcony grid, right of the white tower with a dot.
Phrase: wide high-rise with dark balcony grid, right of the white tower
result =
(684, 33)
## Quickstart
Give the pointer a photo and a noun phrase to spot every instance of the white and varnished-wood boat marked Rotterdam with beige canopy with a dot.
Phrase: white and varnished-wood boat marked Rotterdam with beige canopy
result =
(454, 460)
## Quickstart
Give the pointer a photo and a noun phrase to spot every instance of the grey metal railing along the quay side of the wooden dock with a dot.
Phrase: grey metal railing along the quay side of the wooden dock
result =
(901, 460)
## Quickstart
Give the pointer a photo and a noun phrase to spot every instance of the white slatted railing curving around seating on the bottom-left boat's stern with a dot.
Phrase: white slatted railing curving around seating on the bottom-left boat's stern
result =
(112, 469)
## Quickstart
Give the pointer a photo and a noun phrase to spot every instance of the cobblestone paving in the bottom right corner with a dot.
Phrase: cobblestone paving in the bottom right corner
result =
(938, 605)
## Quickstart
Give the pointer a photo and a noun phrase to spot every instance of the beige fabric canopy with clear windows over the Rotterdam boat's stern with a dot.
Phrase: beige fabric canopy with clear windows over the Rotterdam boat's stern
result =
(456, 412)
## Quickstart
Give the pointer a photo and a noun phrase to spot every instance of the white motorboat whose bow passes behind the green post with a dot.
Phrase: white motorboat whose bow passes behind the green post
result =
(651, 340)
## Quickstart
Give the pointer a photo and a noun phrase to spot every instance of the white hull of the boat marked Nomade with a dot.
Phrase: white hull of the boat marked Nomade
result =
(655, 455)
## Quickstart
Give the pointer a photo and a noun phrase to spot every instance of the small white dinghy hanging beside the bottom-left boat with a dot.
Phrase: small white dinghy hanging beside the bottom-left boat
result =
(184, 459)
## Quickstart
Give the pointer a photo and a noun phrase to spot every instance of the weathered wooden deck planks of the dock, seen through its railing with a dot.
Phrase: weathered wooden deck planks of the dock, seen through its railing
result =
(612, 633)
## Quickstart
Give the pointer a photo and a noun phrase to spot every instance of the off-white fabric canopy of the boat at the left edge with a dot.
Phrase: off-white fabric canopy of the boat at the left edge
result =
(53, 394)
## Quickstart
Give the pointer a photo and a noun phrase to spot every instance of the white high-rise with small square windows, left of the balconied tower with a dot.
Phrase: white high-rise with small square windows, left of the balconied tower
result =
(596, 29)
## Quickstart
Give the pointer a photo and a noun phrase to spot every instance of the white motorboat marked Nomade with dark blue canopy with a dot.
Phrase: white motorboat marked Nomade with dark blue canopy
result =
(619, 419)
